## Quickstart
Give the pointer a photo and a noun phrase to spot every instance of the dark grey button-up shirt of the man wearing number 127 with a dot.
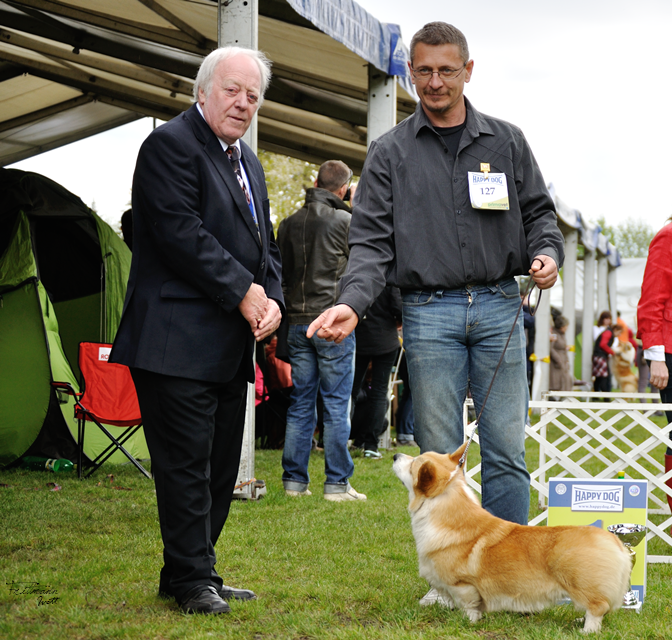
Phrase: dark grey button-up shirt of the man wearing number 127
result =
(413, 224)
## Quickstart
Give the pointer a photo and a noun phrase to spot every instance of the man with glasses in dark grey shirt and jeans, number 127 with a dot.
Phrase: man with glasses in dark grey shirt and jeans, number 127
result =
(450, 207)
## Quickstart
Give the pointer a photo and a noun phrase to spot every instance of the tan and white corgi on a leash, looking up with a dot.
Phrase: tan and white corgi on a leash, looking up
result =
(481, 563)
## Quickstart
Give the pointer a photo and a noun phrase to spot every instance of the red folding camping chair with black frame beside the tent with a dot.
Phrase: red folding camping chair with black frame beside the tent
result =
(109, 397)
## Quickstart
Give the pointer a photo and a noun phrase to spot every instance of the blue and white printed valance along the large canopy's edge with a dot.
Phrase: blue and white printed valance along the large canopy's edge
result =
(376, 42)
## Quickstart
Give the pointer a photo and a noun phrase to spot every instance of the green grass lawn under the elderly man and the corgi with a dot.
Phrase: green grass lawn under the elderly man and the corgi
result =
(321, 569)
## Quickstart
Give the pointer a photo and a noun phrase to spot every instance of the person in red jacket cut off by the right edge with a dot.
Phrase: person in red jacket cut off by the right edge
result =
(654, 323)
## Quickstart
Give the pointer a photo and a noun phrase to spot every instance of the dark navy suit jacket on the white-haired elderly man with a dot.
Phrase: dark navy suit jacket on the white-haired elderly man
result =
(196, 251)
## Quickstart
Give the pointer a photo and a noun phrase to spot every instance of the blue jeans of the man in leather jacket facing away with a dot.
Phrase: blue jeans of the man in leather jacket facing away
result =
(329, 367)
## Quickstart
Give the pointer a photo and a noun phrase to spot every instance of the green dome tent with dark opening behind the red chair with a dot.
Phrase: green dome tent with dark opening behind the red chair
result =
(63, 275)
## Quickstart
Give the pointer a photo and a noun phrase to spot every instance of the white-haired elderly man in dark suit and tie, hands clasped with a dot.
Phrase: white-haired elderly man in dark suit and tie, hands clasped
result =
(205, 284)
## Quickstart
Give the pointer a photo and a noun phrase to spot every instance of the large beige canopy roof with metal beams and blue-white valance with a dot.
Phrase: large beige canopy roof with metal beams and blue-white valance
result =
(73, 68)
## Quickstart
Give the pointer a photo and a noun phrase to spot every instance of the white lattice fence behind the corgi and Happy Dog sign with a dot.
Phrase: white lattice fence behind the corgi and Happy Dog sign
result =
(582, 438)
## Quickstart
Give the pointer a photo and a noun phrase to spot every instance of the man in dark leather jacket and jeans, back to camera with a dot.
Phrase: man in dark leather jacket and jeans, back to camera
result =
(313, 243)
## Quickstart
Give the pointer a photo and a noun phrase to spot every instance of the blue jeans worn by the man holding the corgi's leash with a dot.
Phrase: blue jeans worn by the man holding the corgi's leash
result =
(453, 340)
